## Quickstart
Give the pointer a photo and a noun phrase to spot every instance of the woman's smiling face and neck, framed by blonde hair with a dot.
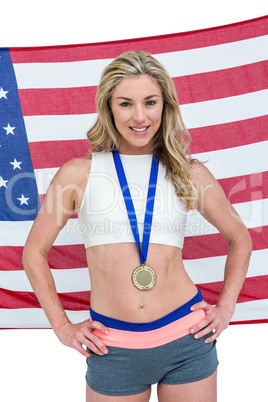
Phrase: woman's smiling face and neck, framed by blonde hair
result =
(137, 105)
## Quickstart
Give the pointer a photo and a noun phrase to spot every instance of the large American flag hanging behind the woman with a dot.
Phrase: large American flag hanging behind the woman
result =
(47, 104)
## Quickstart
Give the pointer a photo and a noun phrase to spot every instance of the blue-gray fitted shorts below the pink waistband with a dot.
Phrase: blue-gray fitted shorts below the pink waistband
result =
(132, 371)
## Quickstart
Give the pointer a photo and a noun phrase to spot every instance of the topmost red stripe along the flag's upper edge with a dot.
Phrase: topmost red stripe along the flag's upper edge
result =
(156, 44)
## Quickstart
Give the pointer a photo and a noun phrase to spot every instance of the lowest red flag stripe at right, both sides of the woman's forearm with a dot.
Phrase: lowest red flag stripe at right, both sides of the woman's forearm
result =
(255, 288)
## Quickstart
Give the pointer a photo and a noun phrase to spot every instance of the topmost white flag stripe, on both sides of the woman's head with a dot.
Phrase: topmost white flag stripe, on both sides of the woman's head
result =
(185, 62)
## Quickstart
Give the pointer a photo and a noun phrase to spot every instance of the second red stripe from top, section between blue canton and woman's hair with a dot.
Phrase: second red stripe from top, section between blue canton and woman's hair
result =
(63, 101)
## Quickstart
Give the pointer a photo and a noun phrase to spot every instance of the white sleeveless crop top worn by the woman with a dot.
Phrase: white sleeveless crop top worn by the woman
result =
(103, 217)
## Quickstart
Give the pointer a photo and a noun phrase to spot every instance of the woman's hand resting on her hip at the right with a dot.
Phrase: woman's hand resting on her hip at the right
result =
(217, 319)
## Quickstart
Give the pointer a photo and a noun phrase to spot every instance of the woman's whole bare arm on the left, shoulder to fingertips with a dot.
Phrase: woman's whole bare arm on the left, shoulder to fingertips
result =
(63, 197)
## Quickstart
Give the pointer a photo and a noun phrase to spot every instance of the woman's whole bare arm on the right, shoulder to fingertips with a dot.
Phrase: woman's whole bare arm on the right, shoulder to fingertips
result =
(216, 209)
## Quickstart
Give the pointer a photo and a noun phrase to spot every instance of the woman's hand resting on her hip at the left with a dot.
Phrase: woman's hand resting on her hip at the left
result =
(77, 335)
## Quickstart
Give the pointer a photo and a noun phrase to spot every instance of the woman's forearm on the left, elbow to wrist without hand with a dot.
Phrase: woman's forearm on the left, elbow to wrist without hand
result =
(42, 282)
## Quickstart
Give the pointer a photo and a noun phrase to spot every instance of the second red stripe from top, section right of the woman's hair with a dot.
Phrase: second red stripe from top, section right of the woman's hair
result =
(222, 83)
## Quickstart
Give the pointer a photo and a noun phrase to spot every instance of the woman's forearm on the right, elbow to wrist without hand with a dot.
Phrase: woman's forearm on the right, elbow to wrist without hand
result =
(235, 271)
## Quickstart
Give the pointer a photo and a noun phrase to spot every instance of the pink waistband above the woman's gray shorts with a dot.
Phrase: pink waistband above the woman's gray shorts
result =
(153, 338)
